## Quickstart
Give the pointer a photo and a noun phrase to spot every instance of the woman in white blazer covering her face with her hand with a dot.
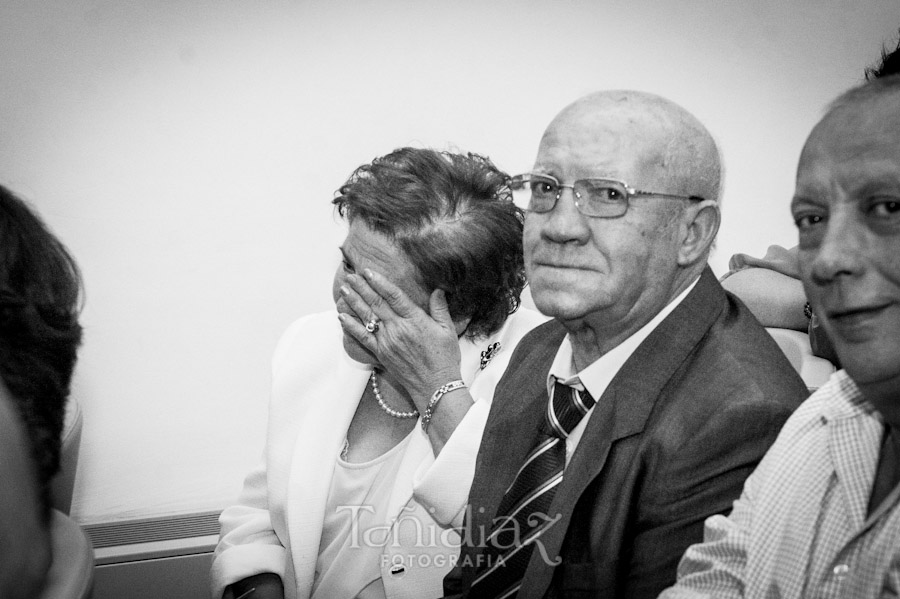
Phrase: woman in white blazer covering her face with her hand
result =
(377, 409)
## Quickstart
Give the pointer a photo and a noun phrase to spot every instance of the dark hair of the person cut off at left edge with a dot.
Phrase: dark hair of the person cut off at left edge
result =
(40, 295)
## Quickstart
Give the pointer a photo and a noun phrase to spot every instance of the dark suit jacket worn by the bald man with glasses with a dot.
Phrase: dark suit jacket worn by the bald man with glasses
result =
(669, 443)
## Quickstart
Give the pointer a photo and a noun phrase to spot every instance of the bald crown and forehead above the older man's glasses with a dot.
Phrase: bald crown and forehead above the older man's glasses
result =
(662, 140)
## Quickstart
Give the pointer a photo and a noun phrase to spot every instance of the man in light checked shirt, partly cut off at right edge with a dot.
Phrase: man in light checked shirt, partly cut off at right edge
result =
(820, 516)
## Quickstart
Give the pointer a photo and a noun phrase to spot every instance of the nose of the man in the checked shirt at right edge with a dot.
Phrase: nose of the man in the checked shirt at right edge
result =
(839, 251)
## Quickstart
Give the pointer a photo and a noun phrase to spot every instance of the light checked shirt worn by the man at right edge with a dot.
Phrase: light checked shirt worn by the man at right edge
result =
(800, 527)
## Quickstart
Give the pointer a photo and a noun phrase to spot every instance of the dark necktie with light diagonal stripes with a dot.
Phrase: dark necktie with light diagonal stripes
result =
(523, 514)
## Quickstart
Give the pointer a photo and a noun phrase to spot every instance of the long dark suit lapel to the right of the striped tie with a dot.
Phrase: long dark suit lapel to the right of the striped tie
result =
(623, 410)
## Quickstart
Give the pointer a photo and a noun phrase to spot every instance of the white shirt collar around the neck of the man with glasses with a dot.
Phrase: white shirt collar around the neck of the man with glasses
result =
(597, 376)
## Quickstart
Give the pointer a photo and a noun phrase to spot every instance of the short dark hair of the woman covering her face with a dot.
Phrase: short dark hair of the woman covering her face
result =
(453, 217)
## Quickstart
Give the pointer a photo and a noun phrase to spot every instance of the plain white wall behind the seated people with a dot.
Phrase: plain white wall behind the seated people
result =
(187, 151)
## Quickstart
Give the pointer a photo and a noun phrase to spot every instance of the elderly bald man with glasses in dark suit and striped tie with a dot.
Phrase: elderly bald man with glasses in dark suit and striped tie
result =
(639, 410)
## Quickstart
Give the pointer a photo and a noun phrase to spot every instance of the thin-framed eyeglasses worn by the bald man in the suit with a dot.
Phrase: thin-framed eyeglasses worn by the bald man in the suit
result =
(603, 198)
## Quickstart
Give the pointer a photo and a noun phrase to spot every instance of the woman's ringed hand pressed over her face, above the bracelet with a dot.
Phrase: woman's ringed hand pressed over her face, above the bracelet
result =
(420, 349)
